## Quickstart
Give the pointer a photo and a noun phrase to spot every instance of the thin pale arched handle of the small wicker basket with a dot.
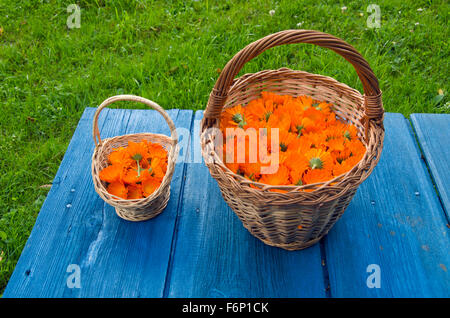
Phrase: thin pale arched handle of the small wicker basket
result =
(132, 98)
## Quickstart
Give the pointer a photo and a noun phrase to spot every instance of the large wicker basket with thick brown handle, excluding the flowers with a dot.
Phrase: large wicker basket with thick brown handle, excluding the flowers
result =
(294, 219)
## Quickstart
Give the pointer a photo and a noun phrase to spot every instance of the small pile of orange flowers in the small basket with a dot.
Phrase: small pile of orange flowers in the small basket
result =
(136, 171)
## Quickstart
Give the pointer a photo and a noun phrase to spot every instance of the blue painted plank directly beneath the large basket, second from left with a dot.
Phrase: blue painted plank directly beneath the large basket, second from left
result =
(215, 256)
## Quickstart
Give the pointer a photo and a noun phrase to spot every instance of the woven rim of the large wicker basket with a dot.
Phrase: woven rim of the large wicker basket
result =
(312, 188)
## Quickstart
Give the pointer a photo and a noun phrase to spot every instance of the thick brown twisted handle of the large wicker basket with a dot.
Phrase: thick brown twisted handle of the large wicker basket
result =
(372, 94)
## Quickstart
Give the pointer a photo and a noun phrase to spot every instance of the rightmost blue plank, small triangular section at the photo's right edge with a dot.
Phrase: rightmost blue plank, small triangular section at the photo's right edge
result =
(433, 134)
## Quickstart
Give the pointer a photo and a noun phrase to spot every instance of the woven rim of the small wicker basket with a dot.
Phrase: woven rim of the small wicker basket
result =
(172, 158)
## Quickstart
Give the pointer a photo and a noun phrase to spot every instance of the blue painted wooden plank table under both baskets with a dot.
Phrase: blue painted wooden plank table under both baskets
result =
(392, 241)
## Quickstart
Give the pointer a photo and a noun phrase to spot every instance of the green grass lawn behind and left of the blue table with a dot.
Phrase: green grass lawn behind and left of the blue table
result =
(169, 51)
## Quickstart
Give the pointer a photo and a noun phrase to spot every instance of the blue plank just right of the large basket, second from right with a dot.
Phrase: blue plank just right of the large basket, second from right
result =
(396, 222)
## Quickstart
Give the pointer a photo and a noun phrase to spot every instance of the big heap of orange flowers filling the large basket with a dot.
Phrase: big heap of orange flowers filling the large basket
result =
(314, 145)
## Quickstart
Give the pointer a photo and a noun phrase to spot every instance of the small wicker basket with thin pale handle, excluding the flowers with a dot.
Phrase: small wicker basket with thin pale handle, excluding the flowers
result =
(154, 204)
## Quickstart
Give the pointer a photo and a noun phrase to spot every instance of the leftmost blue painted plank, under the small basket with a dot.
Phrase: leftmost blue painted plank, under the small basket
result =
(116, 258)
